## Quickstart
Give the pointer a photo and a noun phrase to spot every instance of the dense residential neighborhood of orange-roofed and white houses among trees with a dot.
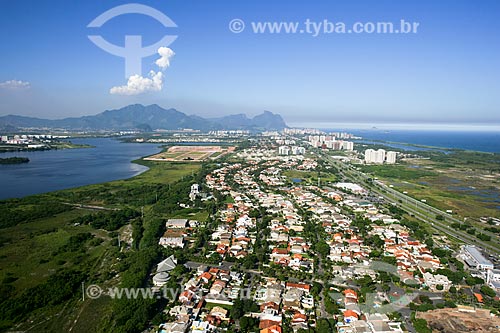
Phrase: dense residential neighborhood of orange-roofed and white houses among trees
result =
(290, 252)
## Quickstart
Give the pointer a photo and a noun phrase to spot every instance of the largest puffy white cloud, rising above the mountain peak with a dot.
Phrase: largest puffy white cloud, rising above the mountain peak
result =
(138, 84)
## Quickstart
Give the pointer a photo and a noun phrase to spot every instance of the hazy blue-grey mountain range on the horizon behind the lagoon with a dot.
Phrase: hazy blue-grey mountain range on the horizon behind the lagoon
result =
(150, 117)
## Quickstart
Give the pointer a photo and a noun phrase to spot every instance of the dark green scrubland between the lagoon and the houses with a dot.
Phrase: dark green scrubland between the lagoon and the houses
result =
(53, 242)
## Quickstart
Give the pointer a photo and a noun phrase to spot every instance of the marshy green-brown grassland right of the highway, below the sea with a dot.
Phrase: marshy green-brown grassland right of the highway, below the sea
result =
(467, 183)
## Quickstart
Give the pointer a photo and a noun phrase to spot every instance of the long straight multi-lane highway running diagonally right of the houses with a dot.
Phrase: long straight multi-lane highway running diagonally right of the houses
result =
(419, 209)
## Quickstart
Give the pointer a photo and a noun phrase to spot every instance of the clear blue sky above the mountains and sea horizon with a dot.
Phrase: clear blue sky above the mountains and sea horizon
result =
(446, 73)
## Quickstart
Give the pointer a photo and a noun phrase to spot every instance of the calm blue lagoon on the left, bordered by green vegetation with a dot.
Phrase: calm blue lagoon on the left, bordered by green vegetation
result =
(61, 169)
